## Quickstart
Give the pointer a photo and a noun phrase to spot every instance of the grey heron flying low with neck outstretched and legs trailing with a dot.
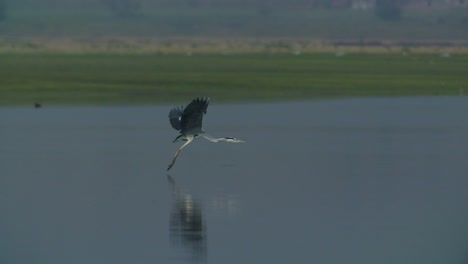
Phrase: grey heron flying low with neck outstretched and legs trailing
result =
(188, 121)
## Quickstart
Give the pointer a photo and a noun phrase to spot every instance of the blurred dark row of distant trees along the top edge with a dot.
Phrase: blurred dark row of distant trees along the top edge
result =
(385, 9)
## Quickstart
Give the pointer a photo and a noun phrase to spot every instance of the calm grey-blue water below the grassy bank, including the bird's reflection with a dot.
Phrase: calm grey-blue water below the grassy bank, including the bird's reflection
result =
(338, 181)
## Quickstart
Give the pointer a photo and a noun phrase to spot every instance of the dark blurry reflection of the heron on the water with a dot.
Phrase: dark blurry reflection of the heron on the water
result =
(187, 228)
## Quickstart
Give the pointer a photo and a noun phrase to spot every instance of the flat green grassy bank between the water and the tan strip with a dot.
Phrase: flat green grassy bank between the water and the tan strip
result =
(134, 79)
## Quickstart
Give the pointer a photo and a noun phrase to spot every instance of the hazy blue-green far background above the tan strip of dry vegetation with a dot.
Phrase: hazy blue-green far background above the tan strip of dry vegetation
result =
(374, 22)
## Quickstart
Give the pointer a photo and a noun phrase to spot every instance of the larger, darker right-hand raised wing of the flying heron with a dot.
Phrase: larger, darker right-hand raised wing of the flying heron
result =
(192, 116)
